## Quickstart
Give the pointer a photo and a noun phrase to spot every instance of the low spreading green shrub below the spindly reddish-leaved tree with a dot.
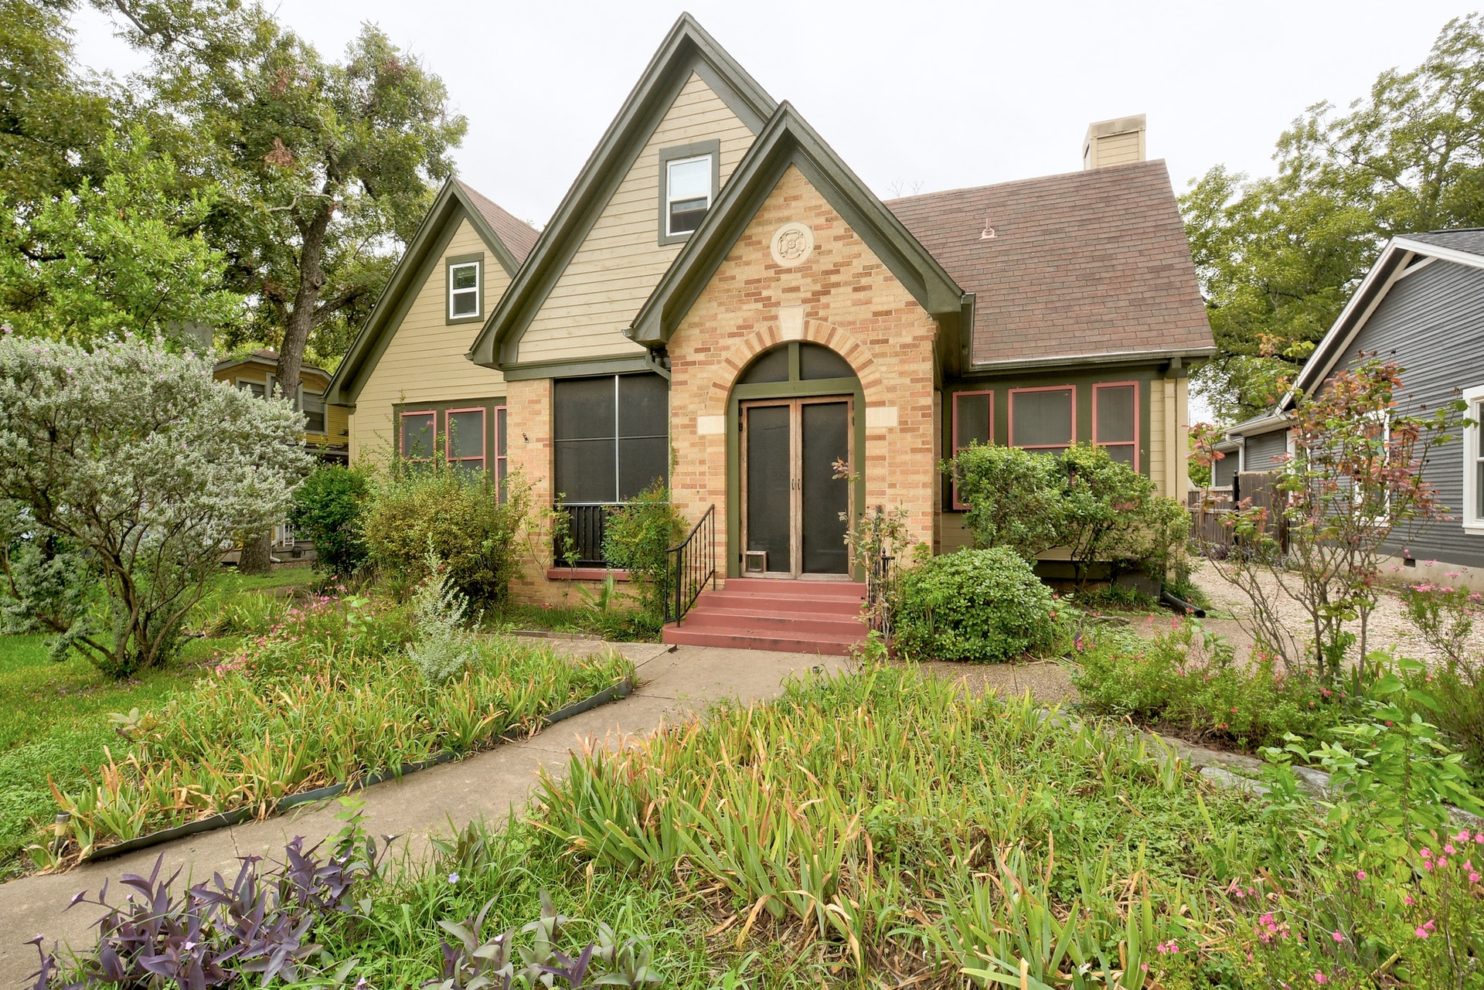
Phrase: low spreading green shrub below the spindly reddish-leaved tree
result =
(1188, 682)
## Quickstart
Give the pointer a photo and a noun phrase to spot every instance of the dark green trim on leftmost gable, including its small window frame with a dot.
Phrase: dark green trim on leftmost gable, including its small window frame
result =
(412, 272)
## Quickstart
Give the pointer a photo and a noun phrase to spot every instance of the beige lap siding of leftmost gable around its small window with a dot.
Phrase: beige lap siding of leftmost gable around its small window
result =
(425, 360)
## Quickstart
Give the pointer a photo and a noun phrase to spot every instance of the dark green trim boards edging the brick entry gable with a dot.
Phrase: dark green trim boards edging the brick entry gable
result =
(790, 142)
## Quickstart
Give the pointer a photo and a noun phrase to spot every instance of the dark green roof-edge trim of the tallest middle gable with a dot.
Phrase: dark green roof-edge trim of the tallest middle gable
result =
(685, 51)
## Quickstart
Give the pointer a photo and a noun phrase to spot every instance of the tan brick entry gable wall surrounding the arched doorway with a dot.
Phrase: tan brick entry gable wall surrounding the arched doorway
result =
(851, 304)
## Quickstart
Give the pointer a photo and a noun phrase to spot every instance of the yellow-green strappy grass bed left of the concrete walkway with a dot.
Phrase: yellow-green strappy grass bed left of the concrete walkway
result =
(332, 700)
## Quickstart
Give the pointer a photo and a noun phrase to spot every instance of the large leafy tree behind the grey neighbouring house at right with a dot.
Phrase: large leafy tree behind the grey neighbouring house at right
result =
(1278, 258)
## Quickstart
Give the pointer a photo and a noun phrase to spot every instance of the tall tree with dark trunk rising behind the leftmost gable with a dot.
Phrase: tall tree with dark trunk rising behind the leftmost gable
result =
(324, 167)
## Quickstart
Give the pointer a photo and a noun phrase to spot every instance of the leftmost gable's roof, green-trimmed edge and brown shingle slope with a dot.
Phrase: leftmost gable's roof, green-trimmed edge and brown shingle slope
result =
(508, 240)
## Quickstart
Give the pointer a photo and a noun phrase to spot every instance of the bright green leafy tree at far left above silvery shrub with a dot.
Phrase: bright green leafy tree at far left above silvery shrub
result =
(121, 253)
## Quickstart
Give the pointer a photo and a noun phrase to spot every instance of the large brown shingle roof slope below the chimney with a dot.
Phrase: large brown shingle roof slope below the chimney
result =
(1083, 265)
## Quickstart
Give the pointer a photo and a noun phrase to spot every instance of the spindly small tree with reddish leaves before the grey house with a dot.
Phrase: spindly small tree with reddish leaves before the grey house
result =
(1357, 474)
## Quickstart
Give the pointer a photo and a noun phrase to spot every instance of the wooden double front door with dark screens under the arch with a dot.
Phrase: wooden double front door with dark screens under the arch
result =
(795, 508)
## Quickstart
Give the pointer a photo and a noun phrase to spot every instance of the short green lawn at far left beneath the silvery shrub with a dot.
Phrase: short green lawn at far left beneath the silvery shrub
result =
(56, 716)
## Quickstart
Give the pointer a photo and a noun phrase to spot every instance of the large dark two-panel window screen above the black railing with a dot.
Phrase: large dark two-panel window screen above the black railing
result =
(612, 437)
